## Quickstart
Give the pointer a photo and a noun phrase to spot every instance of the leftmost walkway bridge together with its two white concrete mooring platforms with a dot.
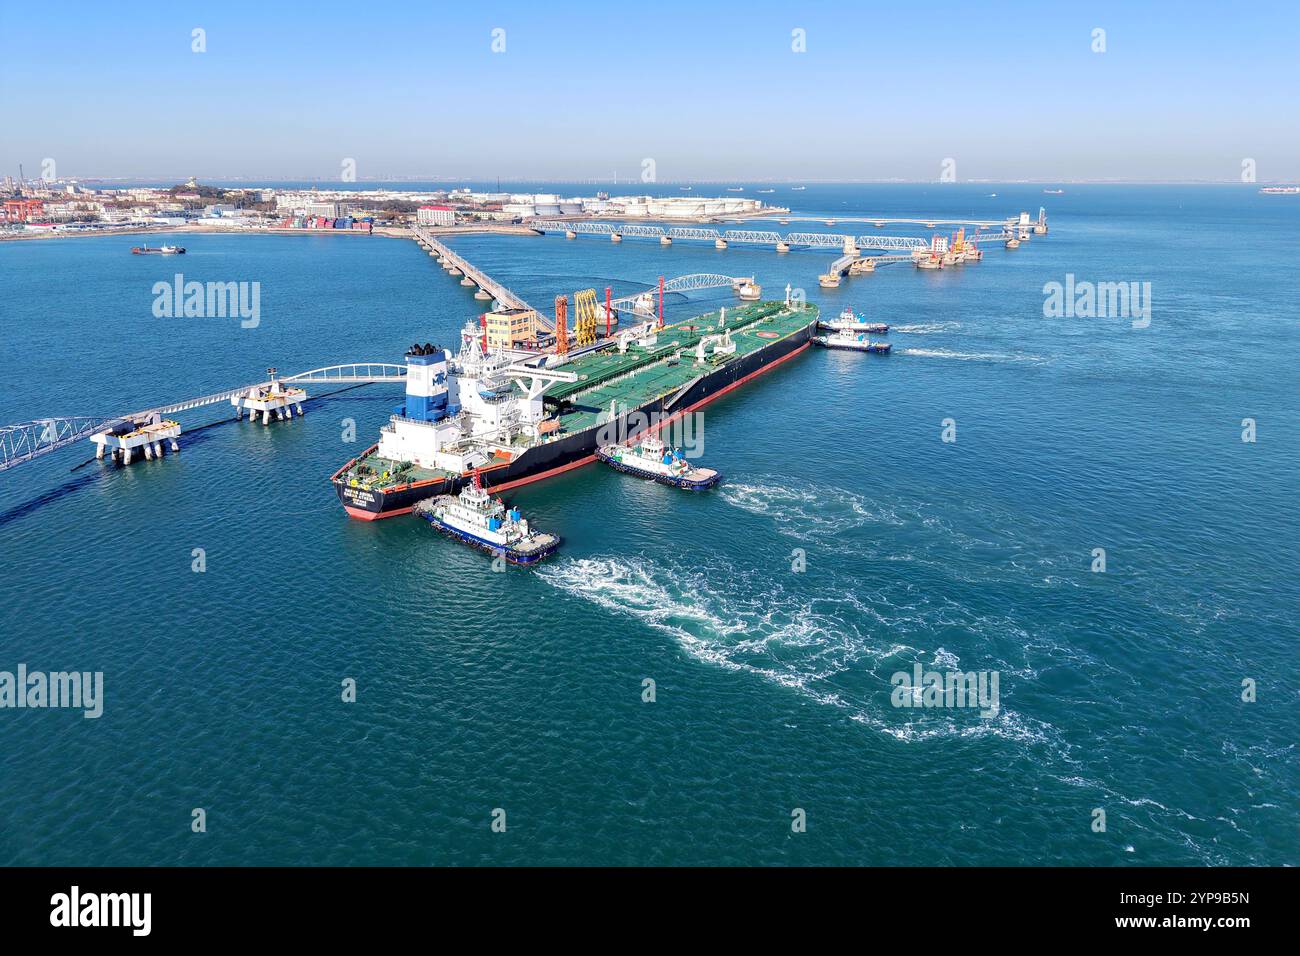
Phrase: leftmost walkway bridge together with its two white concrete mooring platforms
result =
(151, 432)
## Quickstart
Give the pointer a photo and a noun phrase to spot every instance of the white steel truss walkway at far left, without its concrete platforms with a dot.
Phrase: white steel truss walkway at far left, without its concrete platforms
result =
(29, 440)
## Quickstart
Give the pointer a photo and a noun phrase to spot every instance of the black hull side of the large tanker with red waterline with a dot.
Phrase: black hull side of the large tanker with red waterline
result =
(574, 451)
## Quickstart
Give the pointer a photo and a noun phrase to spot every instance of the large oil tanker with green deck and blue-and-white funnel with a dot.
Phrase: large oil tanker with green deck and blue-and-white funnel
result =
(514, 421)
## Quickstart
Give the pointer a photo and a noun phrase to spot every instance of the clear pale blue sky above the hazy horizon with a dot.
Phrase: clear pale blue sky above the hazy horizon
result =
(1008, 90)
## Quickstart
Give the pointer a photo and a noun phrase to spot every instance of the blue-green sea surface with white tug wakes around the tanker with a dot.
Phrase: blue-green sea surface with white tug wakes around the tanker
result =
(523, 691)
